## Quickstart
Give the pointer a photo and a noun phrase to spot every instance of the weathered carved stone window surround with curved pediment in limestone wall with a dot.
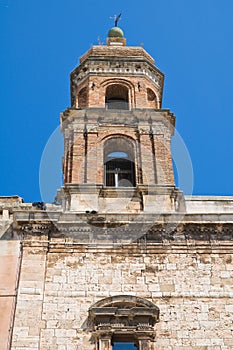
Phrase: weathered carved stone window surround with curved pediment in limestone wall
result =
(124, 318)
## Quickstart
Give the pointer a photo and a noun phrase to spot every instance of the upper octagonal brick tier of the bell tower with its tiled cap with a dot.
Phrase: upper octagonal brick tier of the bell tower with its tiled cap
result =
(131, 67)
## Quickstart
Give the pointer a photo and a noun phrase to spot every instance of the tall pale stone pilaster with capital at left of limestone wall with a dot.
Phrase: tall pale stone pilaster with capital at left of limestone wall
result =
(28, 321)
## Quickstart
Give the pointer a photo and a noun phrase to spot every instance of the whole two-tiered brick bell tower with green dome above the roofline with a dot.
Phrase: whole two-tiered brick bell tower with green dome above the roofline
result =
(116, 134)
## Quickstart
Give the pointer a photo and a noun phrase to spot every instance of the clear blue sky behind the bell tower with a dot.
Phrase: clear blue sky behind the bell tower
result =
(41, 42)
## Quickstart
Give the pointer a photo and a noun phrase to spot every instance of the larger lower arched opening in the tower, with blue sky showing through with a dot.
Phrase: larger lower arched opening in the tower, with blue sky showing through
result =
(119, 166)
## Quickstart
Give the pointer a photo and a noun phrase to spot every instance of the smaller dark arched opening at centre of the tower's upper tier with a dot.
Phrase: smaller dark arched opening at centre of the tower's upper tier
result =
(117, 97)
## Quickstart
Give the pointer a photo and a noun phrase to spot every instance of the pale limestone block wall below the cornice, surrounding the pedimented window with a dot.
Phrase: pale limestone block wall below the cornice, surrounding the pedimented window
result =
(192, 287)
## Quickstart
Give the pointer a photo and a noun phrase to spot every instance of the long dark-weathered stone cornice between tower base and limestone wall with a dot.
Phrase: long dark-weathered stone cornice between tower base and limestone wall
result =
(90, 233)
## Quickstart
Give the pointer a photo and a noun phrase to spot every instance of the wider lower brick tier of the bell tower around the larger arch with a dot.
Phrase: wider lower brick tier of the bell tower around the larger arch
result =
(87, 153)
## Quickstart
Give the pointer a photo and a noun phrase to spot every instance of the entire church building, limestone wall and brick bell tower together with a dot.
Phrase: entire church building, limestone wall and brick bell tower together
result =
(126, 261)
